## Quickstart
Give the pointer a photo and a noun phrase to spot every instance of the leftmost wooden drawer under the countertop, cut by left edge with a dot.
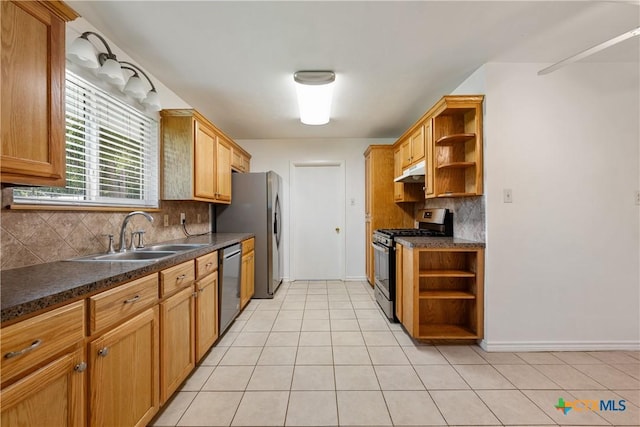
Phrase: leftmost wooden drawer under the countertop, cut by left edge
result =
(27, 343)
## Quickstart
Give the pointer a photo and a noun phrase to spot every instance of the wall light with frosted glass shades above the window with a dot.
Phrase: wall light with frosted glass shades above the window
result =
(83, 53)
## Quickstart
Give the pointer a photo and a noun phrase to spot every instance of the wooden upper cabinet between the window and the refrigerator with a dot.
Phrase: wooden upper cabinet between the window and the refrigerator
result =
(196, 158)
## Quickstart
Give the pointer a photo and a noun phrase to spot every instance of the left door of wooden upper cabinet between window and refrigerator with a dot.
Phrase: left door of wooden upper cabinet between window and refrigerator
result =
(204, 153)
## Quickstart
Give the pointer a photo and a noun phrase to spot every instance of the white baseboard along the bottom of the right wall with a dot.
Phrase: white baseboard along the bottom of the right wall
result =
(529, 346)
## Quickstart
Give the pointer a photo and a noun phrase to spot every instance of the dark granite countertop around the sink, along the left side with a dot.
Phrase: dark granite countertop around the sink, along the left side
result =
(31, 289)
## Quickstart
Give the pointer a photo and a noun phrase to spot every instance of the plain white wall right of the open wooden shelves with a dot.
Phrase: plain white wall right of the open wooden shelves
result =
(563, 260)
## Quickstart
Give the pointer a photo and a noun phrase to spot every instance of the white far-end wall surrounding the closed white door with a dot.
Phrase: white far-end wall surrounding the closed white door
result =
(277, 155)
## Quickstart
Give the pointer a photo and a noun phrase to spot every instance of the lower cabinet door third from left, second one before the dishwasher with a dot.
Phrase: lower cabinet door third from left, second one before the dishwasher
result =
(177, 356)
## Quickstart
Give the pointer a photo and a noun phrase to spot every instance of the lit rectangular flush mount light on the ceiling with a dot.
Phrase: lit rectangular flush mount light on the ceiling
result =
(314, 90)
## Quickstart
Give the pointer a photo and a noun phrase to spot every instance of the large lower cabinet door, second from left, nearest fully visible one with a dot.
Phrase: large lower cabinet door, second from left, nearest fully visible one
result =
(123, 374)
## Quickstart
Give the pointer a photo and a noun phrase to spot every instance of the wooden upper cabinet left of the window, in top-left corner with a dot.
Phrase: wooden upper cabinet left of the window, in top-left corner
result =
(33, 74)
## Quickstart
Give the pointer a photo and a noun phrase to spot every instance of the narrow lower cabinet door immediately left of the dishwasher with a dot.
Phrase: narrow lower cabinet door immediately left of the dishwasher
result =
(207, 314)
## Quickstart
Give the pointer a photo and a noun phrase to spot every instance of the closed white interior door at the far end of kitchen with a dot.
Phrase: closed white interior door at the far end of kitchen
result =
(317, 219)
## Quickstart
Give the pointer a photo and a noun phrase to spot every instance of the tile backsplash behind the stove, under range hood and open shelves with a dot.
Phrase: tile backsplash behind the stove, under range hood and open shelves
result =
(468, 215)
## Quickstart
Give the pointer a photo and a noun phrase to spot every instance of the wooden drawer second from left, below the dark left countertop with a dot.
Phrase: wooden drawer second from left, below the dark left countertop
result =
(110, 307)
